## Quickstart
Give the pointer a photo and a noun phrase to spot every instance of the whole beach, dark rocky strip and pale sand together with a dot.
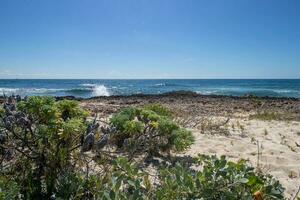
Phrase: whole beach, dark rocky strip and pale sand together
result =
(265, 131)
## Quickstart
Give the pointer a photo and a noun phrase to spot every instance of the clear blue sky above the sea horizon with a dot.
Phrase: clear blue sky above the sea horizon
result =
(149, 39)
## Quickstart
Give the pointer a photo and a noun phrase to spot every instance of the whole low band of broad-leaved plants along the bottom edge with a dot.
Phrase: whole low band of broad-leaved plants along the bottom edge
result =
(217, 179)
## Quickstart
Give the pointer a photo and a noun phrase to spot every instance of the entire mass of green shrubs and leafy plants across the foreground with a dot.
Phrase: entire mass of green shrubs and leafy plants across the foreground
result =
(55, 150)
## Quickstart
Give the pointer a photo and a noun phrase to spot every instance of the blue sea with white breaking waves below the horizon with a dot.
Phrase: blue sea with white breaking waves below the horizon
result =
(89, 87)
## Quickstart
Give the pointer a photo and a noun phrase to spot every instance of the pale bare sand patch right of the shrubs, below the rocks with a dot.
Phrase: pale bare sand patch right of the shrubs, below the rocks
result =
(279, 143)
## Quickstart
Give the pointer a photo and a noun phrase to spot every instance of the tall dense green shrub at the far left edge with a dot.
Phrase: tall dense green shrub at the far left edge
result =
(39, 136)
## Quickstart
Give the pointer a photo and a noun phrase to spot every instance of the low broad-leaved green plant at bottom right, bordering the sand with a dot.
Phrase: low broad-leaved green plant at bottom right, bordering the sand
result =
(218, 179)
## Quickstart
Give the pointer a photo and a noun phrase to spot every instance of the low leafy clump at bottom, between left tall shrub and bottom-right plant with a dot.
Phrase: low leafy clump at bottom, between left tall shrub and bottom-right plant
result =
(123, 181)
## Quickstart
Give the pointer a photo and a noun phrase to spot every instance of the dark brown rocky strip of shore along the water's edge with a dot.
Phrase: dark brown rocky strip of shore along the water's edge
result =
(192, 104)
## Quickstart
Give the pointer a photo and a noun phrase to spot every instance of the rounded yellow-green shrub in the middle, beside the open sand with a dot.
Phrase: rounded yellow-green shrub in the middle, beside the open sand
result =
(149, 129)
